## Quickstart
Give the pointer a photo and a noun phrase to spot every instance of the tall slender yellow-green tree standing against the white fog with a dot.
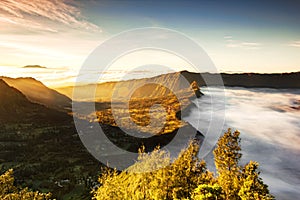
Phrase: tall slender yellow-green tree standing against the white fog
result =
(227, 155)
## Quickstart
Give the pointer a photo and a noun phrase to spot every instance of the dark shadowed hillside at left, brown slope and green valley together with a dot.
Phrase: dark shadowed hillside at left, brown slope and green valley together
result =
(42, 146)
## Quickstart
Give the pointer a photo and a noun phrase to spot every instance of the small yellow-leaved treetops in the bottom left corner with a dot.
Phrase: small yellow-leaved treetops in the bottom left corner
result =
(9, 192)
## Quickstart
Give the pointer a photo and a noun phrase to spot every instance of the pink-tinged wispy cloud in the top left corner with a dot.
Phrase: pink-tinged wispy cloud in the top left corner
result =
(43, 15)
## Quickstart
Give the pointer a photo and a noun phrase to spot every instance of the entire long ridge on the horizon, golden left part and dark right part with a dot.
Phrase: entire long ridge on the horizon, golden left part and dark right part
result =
(164, 84)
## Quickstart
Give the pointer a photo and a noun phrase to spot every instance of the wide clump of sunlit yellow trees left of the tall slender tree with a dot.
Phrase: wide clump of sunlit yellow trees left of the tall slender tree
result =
(154, 176)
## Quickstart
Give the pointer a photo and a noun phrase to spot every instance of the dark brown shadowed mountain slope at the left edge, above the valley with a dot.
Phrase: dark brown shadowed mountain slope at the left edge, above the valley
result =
(15, 107)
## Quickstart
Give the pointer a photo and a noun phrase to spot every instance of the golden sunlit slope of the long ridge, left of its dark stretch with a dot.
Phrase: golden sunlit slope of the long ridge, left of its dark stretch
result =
(155, 87)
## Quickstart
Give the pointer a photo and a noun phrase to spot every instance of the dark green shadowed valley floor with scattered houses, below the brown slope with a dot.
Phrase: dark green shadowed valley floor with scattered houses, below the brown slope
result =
(48, 159)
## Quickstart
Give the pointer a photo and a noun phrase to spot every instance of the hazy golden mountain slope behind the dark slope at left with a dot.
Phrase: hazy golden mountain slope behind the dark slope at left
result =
(37, 92)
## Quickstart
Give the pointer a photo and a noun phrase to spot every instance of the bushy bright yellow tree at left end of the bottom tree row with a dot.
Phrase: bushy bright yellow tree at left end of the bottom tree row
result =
(145, 179)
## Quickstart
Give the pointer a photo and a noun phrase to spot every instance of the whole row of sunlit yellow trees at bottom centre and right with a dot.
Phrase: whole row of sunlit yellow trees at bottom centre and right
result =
(155, 176)
